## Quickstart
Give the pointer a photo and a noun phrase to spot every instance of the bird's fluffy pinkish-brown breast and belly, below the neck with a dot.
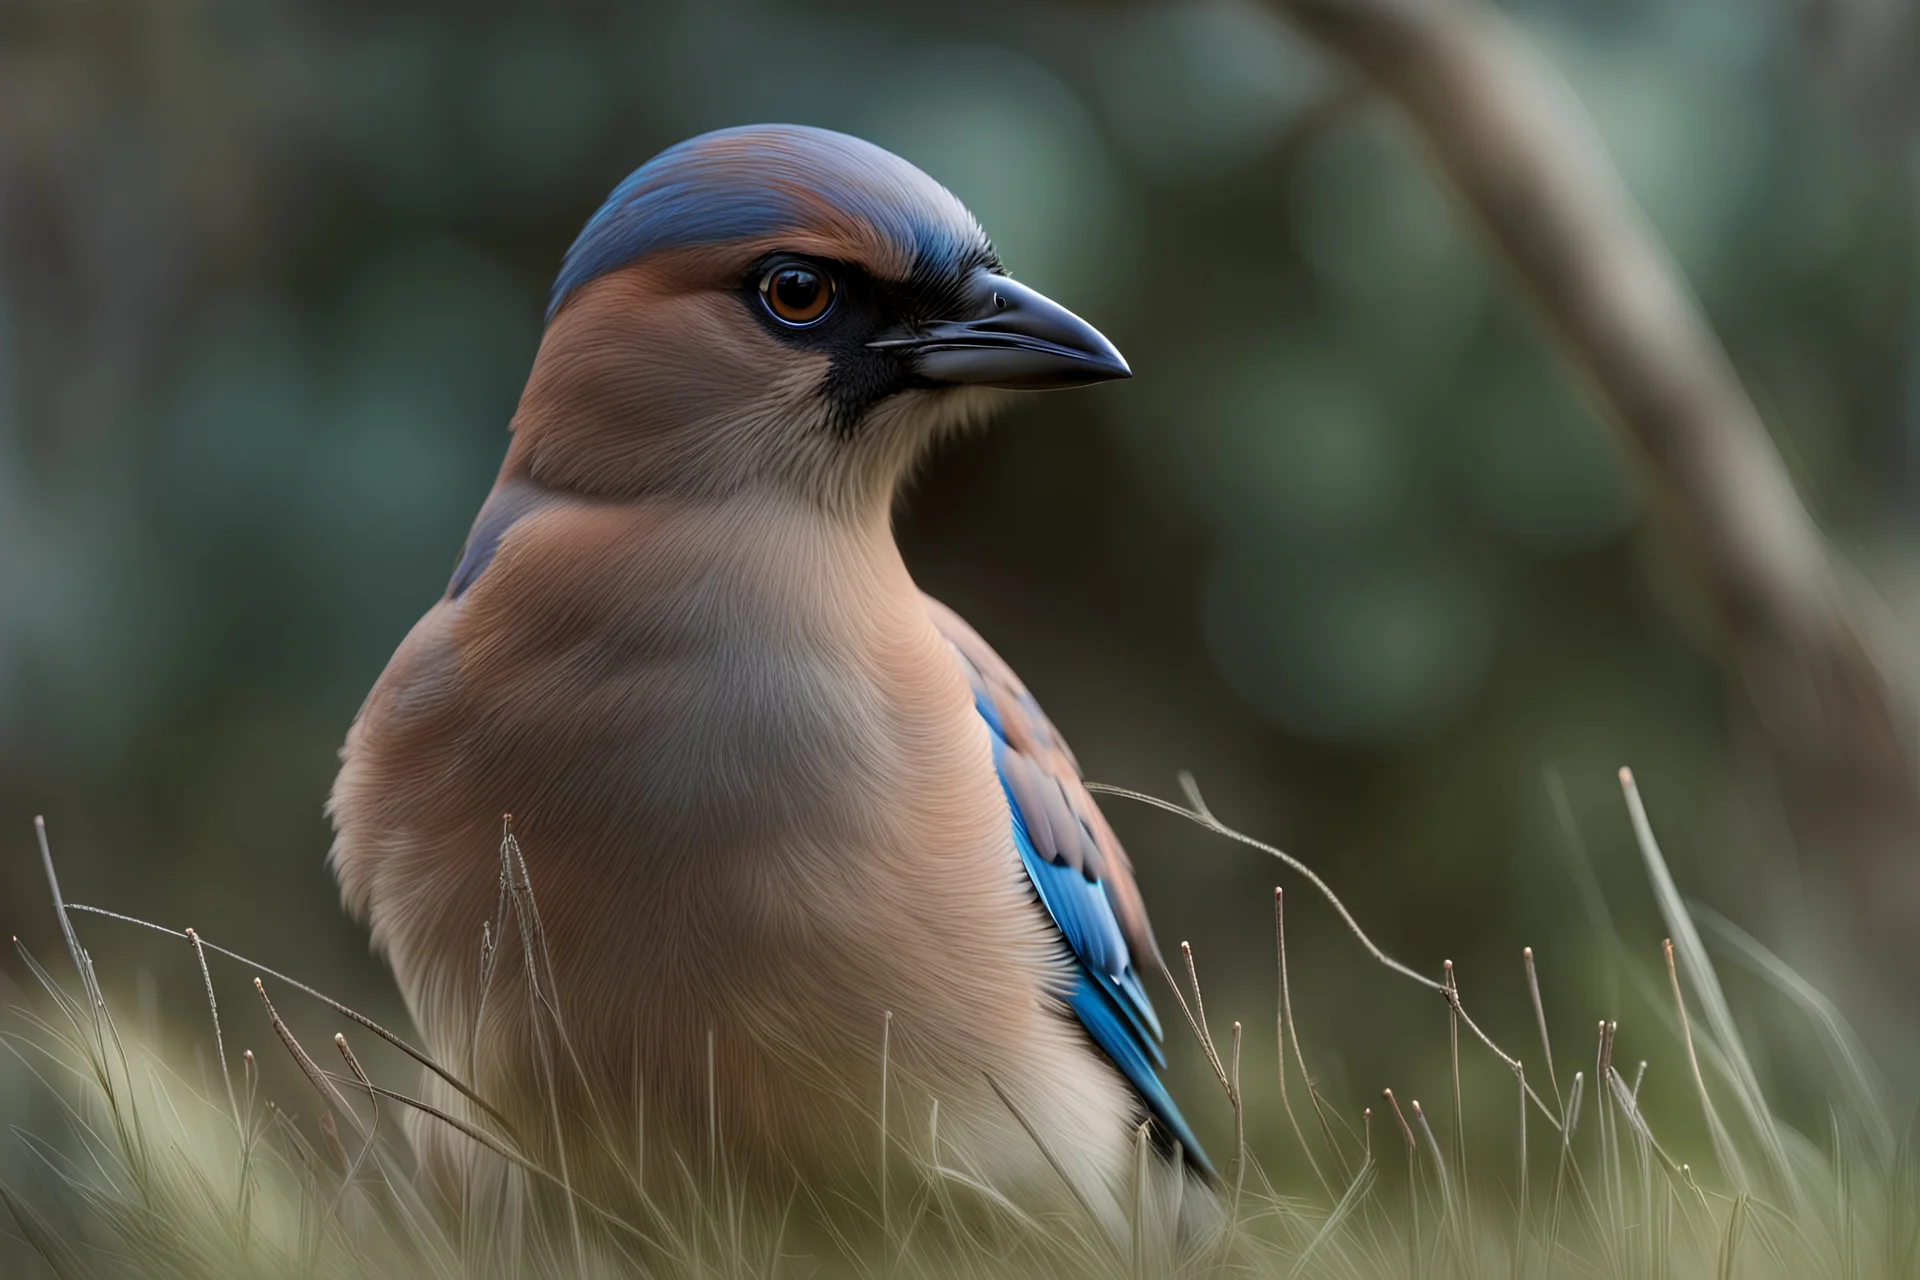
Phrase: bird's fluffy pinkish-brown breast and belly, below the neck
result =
(757, 809)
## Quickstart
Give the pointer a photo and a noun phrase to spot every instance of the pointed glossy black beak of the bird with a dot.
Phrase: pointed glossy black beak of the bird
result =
(1015, 339)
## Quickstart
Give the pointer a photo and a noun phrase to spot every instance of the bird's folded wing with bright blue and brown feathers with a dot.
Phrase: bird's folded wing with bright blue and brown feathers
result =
(1078, 870)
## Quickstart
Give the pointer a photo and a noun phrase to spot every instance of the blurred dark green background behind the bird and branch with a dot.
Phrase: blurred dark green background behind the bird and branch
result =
(1351, 546)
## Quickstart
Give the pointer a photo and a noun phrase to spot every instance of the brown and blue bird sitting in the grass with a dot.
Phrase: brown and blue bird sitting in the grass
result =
(805, 853)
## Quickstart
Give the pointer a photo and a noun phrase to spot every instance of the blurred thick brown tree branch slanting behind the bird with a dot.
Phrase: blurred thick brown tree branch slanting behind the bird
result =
(1522, 154)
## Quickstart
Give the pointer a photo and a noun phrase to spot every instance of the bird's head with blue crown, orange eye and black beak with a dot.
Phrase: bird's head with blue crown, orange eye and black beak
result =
(788, 308)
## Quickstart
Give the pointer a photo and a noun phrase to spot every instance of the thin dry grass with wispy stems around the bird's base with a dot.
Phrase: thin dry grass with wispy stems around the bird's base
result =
(164, 1177)
